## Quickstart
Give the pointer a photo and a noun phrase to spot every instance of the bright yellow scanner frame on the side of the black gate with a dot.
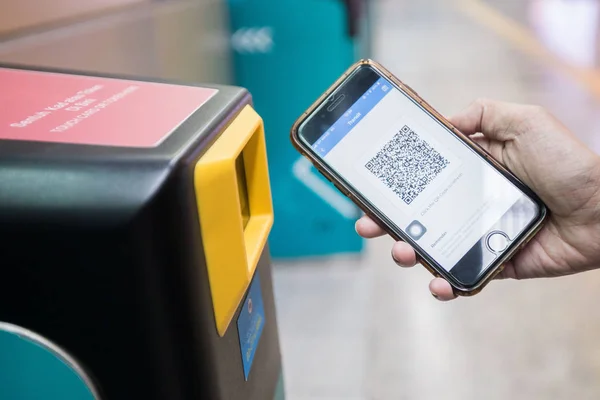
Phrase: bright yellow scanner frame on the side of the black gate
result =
(235, 223)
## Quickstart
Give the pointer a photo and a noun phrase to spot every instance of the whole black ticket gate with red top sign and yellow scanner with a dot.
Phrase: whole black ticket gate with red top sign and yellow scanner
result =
(134, 217)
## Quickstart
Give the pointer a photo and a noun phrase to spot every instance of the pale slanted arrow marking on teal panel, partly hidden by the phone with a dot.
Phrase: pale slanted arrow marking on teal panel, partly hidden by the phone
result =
(302, 171)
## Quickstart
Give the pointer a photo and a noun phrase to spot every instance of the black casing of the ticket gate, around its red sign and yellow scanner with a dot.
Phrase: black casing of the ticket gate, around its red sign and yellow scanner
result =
(102, 253)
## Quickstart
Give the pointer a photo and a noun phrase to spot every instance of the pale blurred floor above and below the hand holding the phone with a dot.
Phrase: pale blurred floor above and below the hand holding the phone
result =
(362, 328)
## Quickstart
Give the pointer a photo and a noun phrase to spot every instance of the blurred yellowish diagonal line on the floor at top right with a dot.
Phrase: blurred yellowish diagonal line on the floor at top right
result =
(522, 38)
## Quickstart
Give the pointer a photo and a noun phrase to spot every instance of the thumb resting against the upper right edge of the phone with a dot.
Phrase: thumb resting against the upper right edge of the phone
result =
(496, 120)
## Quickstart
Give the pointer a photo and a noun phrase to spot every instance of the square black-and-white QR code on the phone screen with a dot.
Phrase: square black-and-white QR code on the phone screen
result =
(407, 164)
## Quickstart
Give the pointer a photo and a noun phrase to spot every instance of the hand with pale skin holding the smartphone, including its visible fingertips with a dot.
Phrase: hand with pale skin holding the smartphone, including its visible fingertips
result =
(549, 159)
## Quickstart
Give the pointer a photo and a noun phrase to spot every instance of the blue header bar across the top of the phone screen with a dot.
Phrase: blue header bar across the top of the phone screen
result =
(352, 117)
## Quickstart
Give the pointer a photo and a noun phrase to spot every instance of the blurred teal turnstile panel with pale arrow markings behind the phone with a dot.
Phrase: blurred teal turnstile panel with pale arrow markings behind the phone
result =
(286, 53)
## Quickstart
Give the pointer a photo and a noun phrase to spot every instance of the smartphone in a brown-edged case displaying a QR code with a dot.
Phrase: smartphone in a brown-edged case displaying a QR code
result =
(418, 177)
